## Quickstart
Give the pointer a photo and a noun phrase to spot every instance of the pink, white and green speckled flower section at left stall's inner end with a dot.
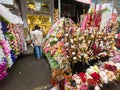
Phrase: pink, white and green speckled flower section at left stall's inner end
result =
(16, 39)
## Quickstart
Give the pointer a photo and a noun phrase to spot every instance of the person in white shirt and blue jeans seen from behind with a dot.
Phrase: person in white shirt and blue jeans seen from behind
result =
(37, 38)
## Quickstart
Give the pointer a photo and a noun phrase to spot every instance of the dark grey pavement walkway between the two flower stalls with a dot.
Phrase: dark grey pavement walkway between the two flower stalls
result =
(28, 73)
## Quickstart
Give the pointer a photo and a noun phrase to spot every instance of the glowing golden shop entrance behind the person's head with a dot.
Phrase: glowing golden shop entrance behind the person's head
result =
(43, 21)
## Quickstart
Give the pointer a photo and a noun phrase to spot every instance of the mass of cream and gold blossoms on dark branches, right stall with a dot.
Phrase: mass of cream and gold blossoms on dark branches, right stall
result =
(90, 44)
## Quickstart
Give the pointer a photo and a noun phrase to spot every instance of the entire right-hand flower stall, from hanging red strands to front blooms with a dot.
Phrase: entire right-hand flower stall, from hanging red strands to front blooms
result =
(86, 55)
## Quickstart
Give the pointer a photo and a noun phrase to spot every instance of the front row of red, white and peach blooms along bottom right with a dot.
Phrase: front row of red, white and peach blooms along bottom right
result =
(95, 76)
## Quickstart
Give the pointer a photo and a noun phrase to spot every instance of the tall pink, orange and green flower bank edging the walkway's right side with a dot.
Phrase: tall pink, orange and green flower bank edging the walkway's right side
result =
(54, 50)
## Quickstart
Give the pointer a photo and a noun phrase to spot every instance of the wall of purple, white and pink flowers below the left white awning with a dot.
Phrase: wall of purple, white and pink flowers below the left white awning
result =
(8, 53)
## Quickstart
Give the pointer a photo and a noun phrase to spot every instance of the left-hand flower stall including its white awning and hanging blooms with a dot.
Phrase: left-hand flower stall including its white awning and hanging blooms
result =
(12, 41)
